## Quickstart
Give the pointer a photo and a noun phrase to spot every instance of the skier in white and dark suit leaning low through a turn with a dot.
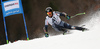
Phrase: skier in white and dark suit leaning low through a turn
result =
(54, 20)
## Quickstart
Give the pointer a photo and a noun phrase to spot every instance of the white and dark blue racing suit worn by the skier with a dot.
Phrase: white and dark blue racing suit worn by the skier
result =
(57, 23)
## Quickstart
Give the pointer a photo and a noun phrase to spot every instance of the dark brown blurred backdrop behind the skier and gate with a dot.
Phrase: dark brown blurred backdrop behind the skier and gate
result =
(35, 16)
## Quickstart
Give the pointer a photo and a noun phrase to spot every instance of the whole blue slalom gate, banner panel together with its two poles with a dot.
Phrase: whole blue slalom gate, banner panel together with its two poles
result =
(12, 7)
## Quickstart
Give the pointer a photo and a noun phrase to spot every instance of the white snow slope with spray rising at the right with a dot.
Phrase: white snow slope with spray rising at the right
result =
(77, 40)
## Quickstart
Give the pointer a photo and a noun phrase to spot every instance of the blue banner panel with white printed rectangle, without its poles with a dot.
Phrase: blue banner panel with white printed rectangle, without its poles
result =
(11, 7)
